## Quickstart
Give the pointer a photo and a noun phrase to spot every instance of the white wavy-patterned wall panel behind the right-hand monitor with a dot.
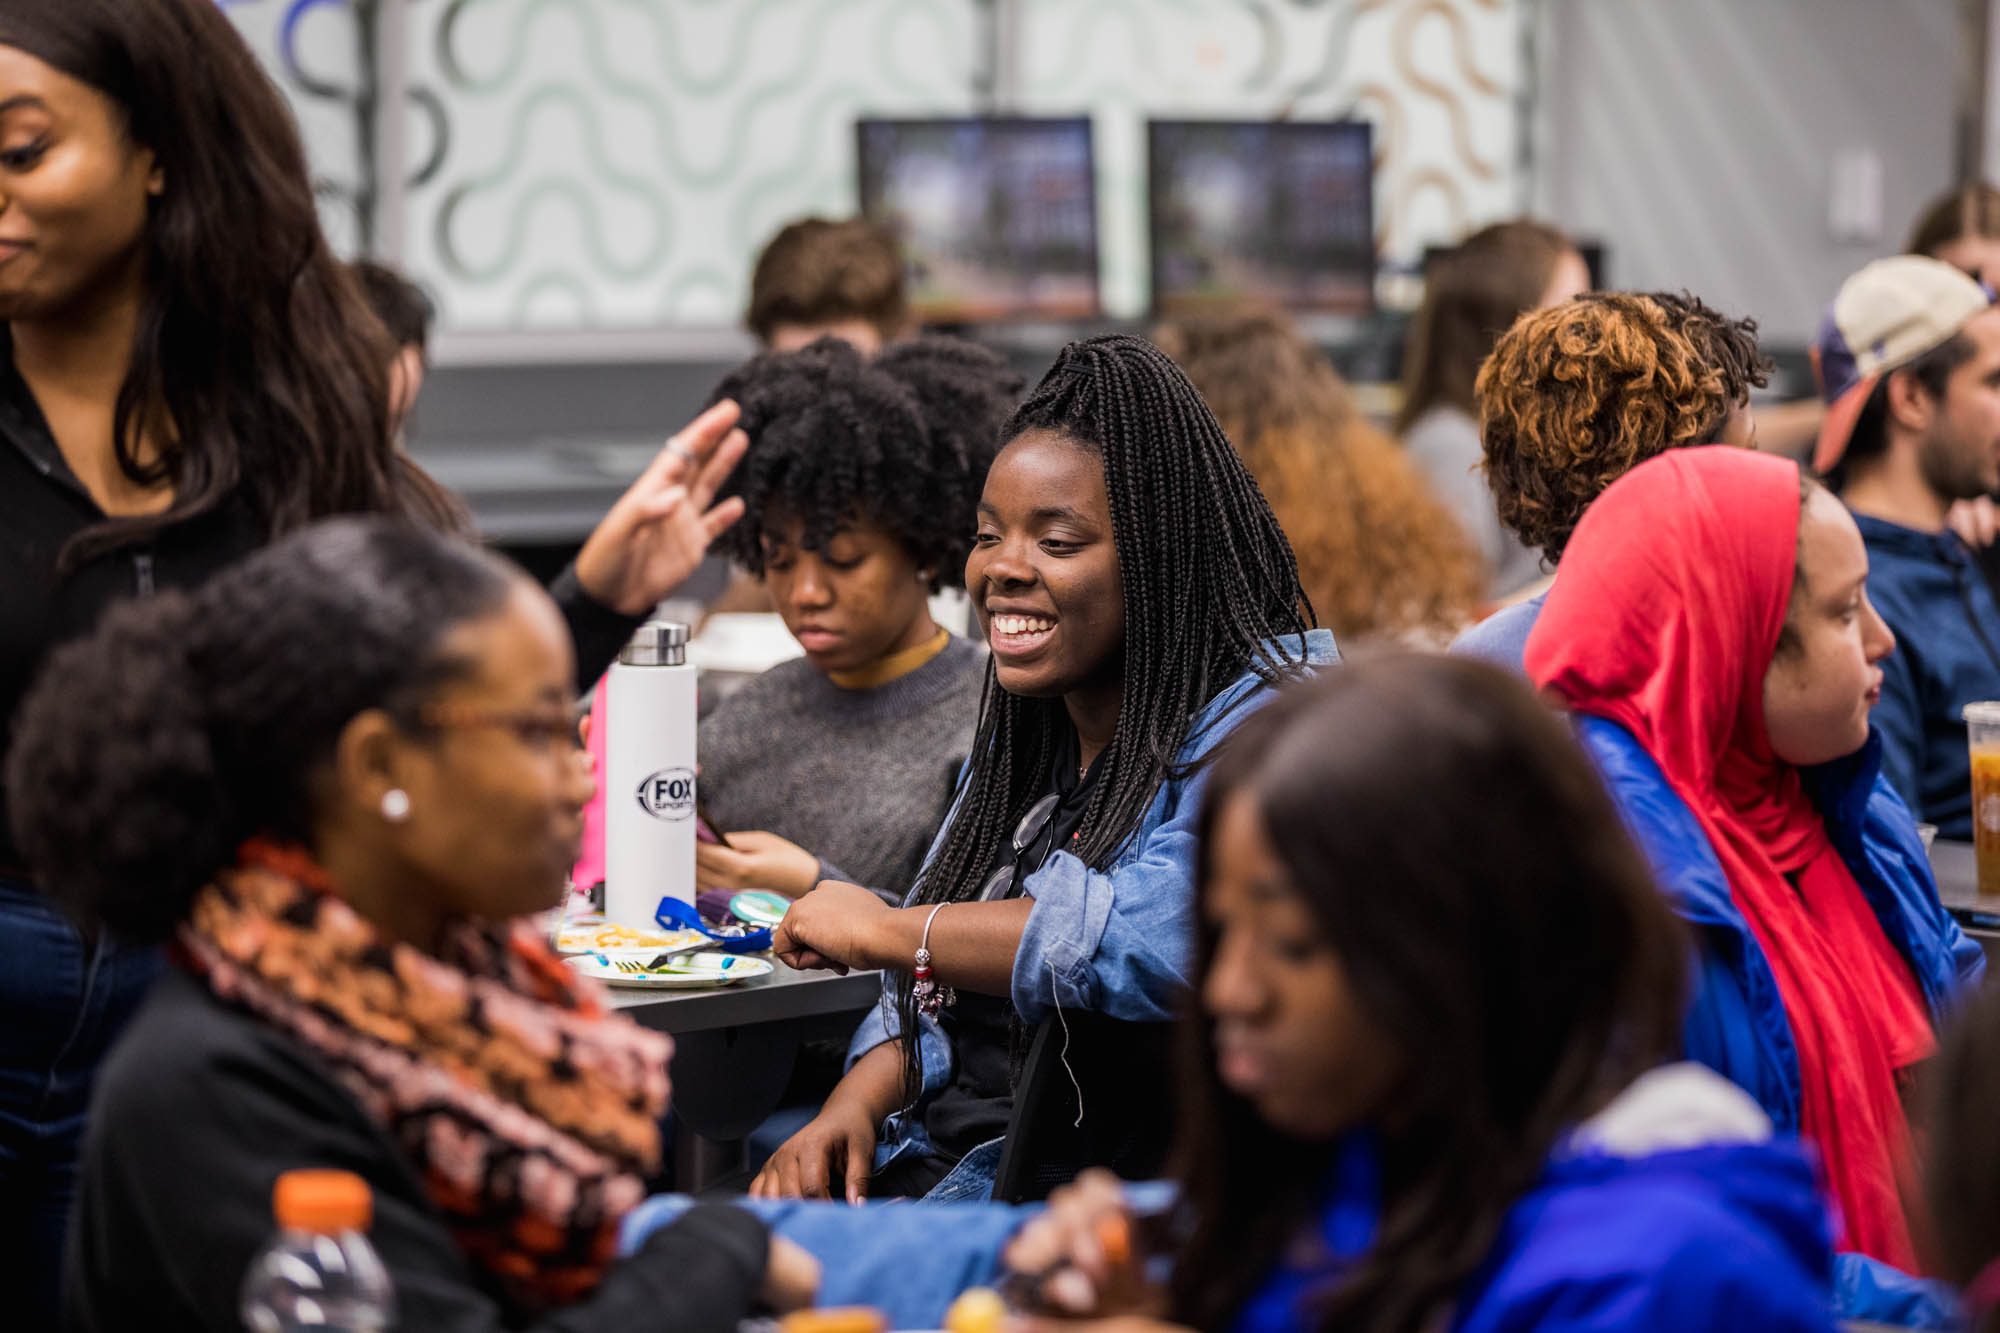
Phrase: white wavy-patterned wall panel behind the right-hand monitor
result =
(1439, 81)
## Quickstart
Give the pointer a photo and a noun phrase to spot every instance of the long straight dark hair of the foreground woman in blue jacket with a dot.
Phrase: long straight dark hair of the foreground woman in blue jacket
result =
(1493, 920)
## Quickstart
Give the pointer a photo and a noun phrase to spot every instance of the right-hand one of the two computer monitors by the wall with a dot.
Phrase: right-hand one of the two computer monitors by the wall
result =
(1275, 211)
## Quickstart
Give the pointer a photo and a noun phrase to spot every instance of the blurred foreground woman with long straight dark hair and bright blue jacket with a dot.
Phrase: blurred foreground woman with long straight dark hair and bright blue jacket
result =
(1441, 1108)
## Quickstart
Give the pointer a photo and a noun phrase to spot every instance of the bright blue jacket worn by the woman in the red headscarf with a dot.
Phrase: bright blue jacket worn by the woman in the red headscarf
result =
(1737, 1022)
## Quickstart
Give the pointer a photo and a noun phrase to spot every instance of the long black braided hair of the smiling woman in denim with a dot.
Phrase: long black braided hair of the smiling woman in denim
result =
(1211, 591)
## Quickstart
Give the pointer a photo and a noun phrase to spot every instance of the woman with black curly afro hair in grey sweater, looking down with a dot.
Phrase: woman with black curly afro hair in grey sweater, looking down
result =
(859, 499)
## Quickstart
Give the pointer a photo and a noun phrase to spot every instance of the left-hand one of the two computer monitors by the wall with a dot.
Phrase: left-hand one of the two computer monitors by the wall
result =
(997, 215)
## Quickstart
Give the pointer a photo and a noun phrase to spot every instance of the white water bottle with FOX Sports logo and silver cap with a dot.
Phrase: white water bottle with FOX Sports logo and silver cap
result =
(649, 776)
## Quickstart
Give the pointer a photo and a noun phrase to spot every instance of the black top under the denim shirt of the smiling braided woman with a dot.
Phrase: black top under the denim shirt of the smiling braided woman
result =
(977, 1104)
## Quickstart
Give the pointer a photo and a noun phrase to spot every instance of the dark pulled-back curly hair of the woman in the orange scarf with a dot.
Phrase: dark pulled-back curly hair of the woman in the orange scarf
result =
(151, 750)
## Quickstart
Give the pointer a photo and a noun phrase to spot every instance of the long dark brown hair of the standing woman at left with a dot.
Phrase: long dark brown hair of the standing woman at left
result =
(253, 339)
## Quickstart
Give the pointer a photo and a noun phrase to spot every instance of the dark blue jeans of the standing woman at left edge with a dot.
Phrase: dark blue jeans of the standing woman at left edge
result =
(63, 1002)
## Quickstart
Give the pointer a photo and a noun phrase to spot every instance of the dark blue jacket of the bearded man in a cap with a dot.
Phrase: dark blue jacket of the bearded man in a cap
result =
(1947, 655)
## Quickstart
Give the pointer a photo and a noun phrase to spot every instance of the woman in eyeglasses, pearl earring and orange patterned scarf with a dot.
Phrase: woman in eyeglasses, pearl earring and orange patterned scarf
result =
(335, 784)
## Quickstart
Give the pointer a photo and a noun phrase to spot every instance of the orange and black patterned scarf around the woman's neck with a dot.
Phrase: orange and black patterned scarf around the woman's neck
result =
(531, 1114)
